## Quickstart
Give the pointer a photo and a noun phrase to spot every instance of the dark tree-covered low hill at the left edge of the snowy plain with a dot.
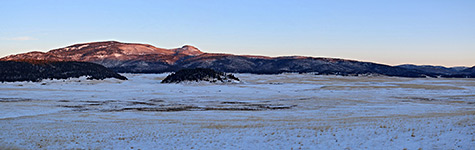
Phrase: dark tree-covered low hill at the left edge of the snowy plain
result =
(35, 71)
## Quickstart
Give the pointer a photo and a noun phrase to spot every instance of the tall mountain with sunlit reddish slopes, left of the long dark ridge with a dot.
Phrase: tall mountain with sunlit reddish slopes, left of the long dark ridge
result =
(123, 57)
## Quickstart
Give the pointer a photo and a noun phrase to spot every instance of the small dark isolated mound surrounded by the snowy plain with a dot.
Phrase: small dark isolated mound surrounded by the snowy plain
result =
(200, 74)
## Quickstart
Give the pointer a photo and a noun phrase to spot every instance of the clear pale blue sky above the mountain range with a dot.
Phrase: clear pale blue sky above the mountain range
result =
(393, 32)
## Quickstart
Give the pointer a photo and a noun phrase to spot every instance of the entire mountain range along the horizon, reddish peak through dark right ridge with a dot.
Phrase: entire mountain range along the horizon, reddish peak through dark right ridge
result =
(144, 58)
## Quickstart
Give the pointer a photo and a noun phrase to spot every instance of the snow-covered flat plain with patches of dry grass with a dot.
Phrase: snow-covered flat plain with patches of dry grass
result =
(286, 111)
